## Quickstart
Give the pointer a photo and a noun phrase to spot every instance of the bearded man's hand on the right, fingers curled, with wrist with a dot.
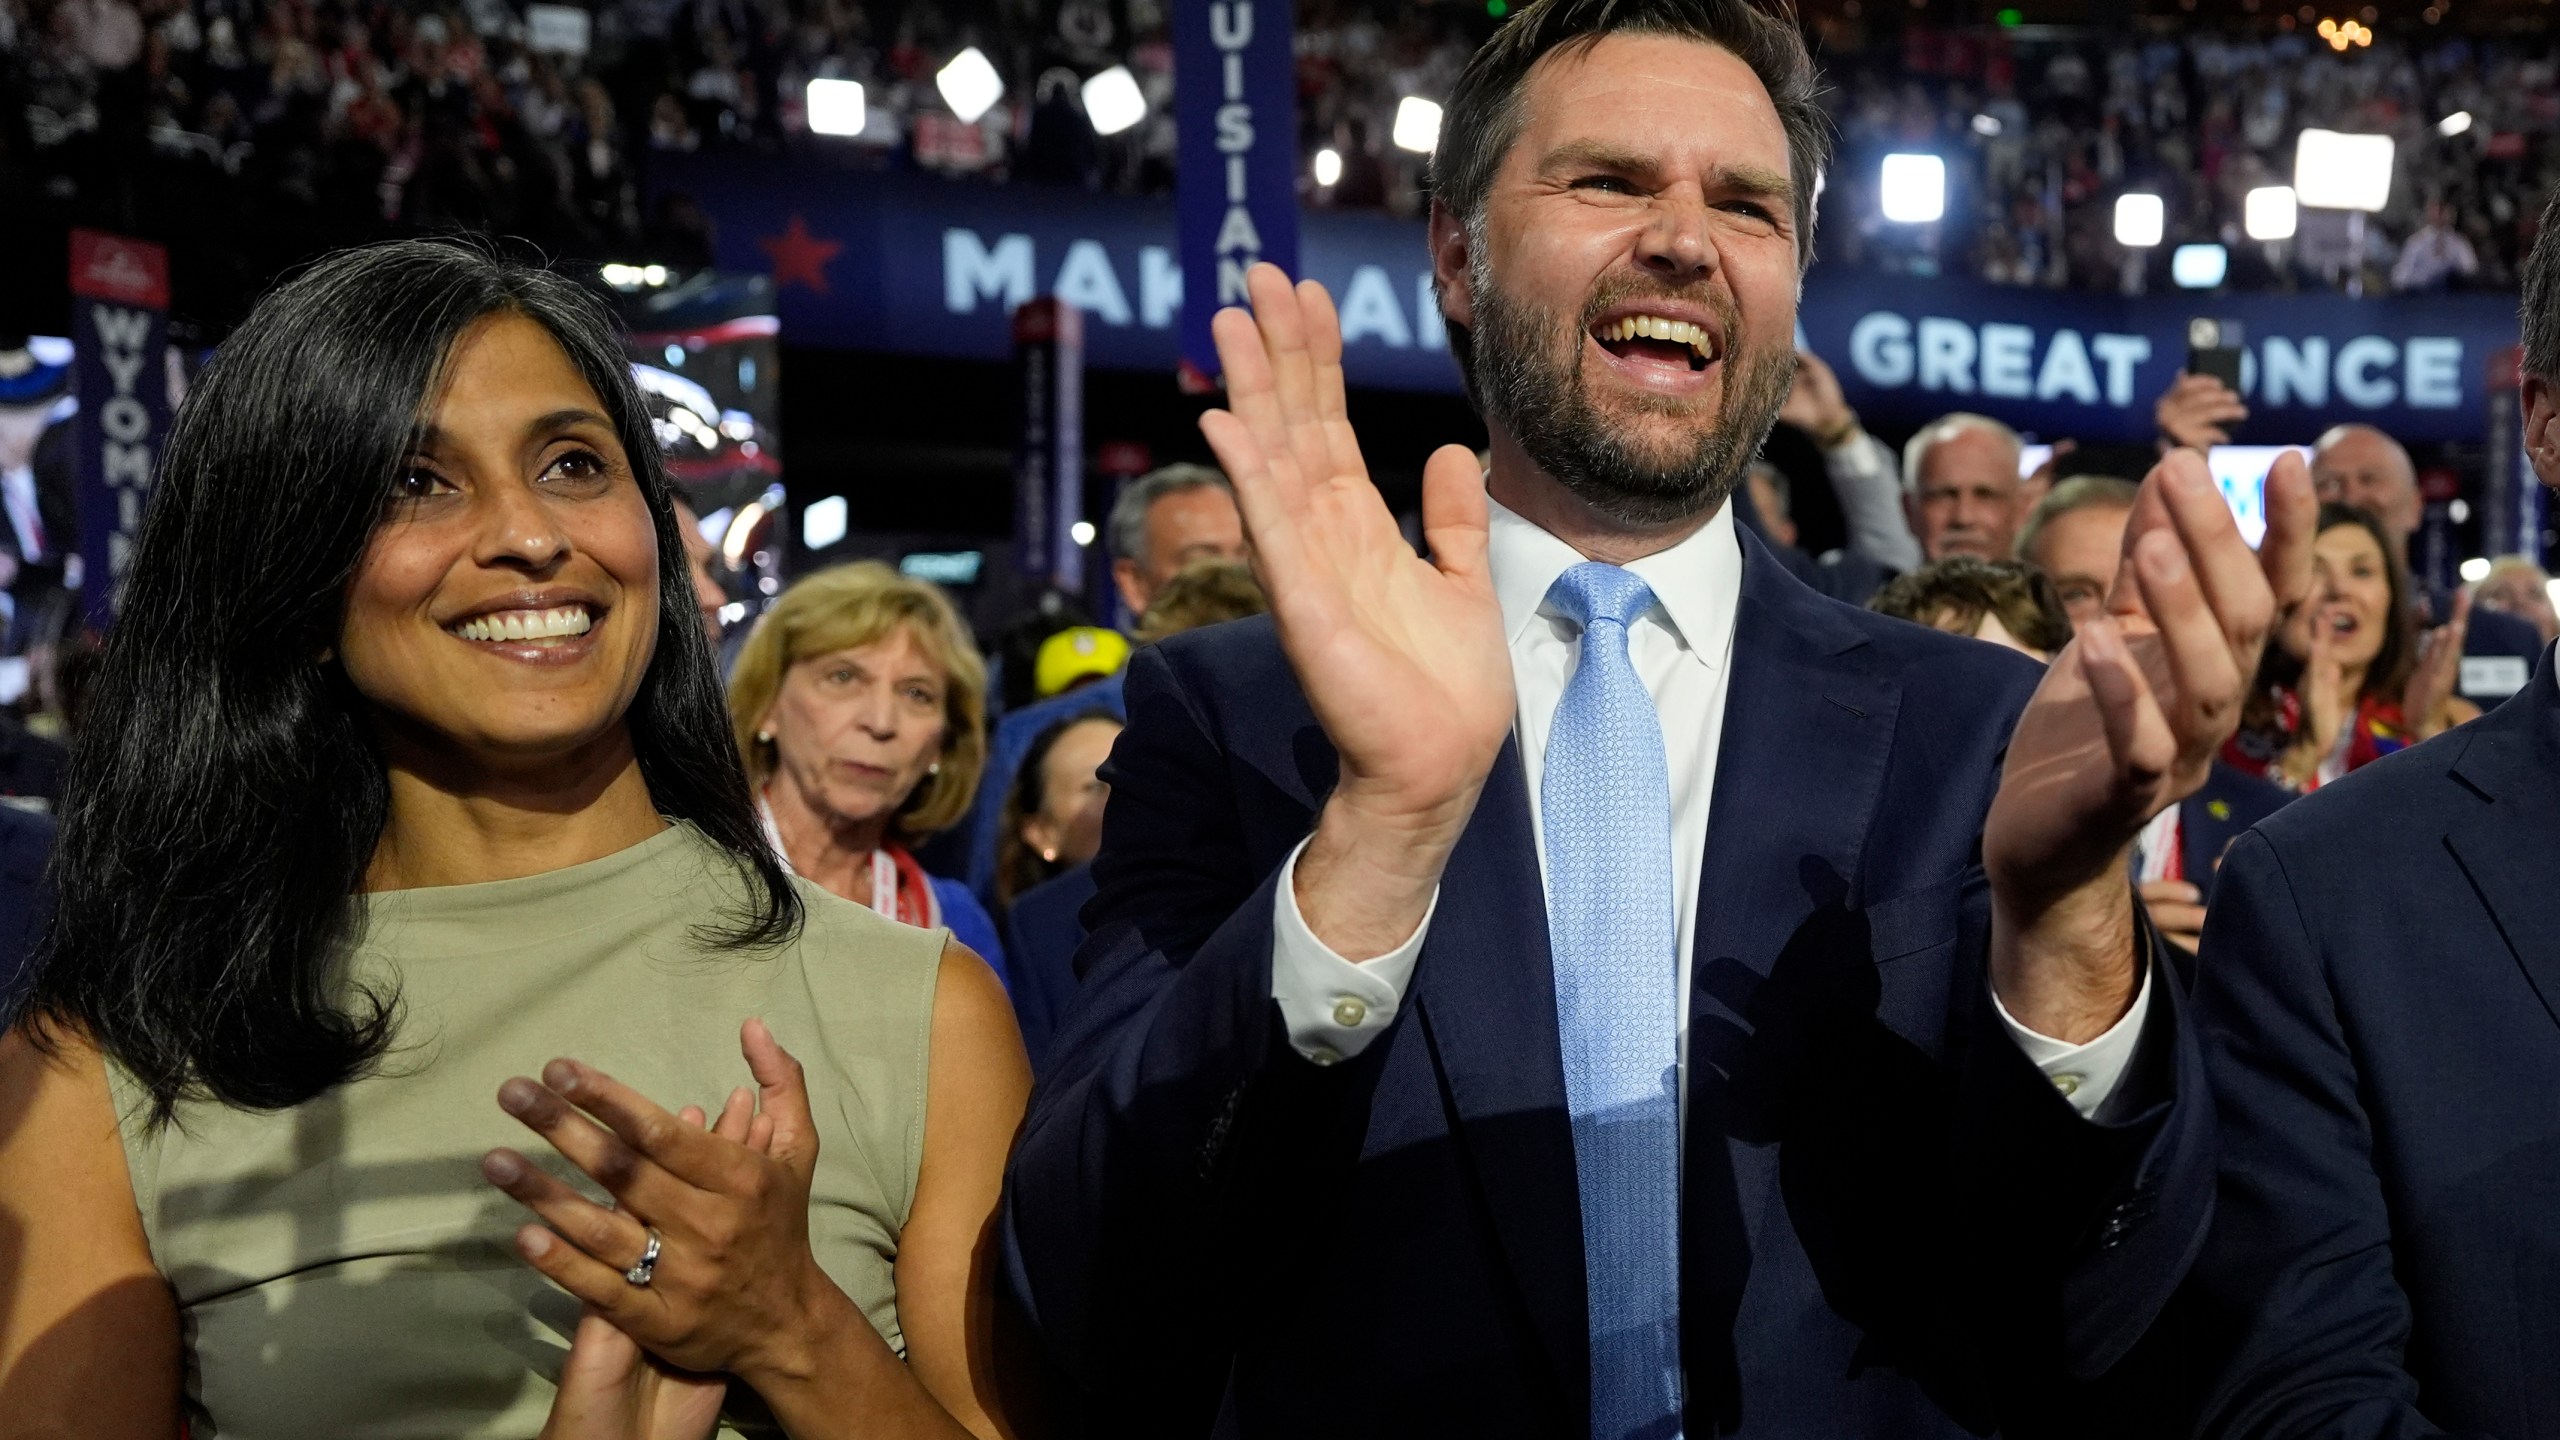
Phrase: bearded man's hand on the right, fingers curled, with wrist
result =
(2124, 726)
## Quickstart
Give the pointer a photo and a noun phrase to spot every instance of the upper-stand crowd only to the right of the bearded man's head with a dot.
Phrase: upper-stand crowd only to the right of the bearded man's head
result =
(2044, 137)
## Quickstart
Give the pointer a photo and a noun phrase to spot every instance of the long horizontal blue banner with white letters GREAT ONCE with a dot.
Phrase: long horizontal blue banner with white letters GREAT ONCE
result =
(938, 268)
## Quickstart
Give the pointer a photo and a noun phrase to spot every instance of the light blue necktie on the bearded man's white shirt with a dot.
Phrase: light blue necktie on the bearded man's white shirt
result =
(1614, 931)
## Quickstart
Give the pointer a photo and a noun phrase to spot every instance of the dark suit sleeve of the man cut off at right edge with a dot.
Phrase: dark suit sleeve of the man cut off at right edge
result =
(2295, 1300)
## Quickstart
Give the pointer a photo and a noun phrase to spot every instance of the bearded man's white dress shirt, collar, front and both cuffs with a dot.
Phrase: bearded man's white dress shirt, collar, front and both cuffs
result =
(1683, 650)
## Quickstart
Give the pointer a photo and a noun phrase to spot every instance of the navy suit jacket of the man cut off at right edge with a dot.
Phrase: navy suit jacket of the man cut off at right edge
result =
(2380, 1006)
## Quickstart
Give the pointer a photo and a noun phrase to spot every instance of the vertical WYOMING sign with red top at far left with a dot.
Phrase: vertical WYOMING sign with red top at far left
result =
(122, 342)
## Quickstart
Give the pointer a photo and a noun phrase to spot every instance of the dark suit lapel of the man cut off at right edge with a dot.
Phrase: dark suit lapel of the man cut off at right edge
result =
(2513, 760)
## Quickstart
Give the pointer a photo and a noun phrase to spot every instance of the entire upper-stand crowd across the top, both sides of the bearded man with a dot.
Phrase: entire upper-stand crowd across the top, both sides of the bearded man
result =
(296, 124)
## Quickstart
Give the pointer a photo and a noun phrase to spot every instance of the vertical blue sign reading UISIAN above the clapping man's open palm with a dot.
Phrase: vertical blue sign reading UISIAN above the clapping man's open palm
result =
(1235, 106)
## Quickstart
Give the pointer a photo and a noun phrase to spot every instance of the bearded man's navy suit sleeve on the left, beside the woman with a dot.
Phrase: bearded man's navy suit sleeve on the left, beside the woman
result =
(1176, 1126)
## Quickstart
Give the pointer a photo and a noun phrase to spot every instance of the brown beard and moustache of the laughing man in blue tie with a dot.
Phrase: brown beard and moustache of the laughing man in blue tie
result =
(1542, 401)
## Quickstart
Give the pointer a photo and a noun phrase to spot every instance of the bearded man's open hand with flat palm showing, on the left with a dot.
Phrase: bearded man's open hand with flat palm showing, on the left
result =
(1402, 657)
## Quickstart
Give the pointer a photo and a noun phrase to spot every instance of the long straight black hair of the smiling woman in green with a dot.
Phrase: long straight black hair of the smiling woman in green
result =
(227, 790)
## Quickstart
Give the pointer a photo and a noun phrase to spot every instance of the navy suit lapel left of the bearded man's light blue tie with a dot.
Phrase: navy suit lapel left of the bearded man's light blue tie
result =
(1486, 995)
